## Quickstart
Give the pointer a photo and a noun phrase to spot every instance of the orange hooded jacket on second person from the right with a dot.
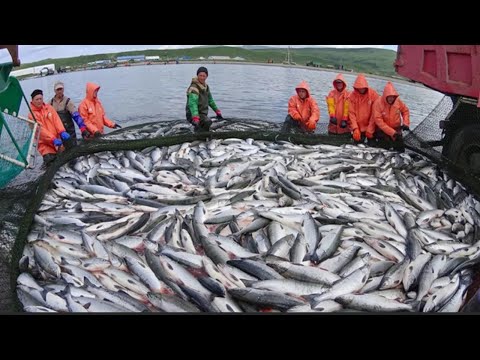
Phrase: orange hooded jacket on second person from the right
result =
(360, 106)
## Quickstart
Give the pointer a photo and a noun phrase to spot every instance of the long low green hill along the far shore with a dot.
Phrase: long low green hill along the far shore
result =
(367, 60)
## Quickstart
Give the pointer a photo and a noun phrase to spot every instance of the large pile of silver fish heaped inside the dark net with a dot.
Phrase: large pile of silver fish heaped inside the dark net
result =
(244, 226)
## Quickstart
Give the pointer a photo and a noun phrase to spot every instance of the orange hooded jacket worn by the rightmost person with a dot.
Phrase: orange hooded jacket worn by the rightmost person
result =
(388, 117)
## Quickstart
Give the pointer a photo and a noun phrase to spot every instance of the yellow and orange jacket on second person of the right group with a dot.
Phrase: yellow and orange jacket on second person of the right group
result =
(337, 104)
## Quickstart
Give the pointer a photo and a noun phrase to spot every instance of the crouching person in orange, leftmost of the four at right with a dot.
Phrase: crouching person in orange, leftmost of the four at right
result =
(303, 111)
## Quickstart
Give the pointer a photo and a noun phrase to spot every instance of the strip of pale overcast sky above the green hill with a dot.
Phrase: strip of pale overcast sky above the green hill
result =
(31, 53)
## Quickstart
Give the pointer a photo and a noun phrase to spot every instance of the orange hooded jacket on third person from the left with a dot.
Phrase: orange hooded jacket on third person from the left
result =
(92, 112)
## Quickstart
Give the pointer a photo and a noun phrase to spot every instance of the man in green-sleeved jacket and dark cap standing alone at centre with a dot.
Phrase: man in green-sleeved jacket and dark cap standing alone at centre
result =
(199, 99)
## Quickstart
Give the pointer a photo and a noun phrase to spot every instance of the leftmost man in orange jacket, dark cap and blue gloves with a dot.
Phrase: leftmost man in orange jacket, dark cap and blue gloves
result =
(52, 132)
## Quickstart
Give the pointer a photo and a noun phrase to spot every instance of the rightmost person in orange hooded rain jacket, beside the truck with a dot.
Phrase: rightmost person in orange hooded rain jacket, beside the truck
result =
(387, 112)
